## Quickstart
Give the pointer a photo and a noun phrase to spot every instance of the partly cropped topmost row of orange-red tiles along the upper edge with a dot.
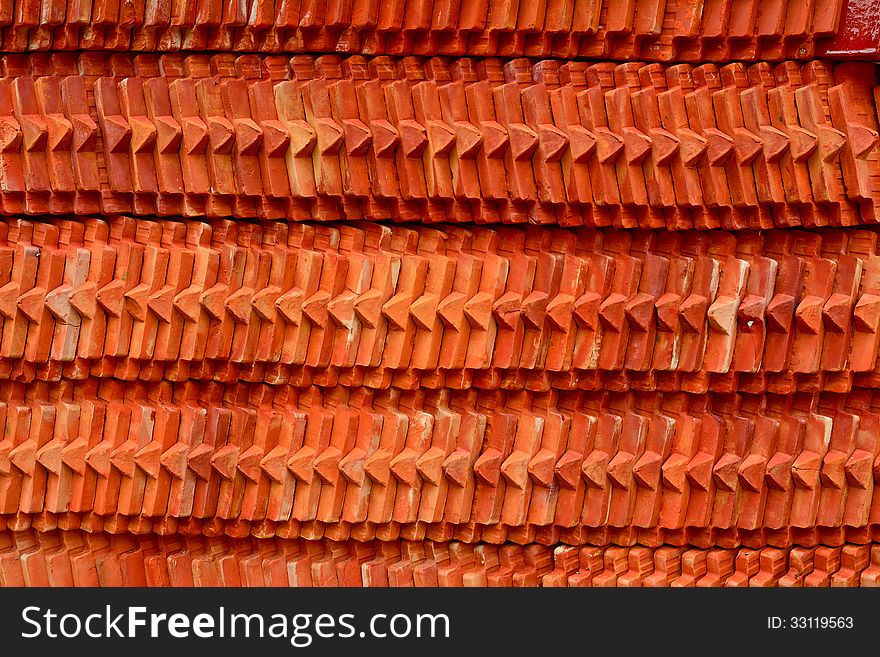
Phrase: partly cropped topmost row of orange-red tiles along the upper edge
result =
(658, 30)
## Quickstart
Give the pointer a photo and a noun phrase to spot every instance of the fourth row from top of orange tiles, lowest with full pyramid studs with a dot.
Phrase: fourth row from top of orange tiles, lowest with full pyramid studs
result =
(345, 460)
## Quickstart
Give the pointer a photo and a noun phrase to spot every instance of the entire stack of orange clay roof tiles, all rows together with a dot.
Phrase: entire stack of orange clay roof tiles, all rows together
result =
(503, 293)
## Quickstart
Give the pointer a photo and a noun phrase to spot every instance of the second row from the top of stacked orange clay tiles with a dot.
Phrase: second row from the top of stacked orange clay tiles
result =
(629, 145)
